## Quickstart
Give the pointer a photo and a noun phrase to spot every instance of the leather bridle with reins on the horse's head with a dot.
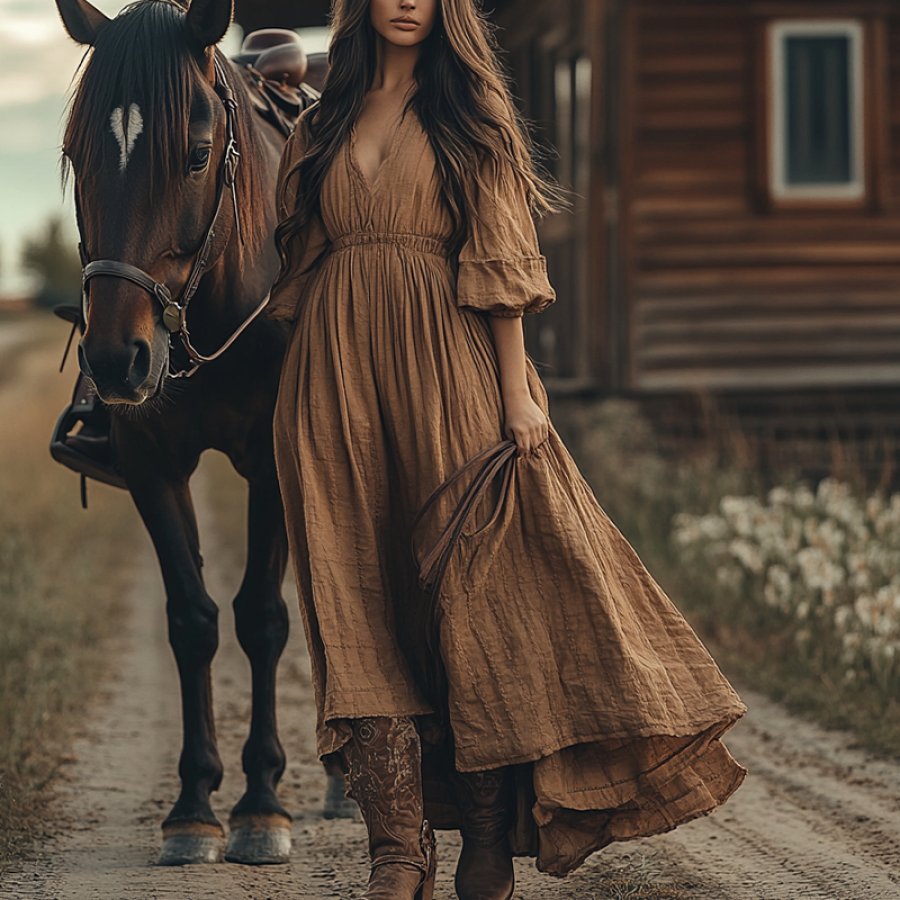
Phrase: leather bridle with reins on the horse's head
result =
(174, 310)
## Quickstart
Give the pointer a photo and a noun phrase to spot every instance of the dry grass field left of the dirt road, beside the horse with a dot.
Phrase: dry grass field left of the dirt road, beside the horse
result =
(63, 571)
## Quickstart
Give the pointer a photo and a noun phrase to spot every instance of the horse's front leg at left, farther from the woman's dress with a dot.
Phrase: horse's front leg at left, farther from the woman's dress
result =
(191, 832)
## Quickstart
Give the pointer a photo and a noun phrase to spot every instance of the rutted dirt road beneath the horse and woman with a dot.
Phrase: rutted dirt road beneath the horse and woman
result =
(814, 818)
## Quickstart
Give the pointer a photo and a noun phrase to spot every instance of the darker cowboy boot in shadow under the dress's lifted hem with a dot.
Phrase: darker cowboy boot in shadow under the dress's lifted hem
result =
(485, 868)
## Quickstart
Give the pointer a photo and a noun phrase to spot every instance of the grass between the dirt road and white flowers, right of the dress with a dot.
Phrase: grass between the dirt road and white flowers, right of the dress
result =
(641, 489)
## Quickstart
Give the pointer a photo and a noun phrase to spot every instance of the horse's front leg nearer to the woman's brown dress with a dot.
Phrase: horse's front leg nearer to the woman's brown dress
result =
(260, 827)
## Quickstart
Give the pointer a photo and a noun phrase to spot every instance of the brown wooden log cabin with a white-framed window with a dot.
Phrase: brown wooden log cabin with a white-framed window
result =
(737, 171)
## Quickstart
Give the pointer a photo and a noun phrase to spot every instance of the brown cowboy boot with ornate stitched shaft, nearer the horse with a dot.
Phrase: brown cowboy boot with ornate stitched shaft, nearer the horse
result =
(384, 763)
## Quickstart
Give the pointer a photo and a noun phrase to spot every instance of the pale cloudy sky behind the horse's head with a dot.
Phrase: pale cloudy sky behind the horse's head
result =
(38, 60)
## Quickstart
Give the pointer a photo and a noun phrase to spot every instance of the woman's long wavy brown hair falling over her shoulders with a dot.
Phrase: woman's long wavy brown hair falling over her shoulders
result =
(462, 98)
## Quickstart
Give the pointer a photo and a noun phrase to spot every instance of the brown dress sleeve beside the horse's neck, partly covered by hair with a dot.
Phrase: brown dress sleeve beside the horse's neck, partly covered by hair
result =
(287, 291)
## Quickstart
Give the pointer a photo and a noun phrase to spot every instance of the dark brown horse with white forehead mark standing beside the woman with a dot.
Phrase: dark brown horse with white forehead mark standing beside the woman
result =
(155, 112)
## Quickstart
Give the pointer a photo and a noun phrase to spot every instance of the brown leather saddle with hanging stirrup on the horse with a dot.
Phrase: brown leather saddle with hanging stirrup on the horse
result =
(273, 65)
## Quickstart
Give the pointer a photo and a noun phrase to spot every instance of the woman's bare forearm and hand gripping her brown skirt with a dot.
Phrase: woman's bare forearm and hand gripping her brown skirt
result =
(524, 421)
